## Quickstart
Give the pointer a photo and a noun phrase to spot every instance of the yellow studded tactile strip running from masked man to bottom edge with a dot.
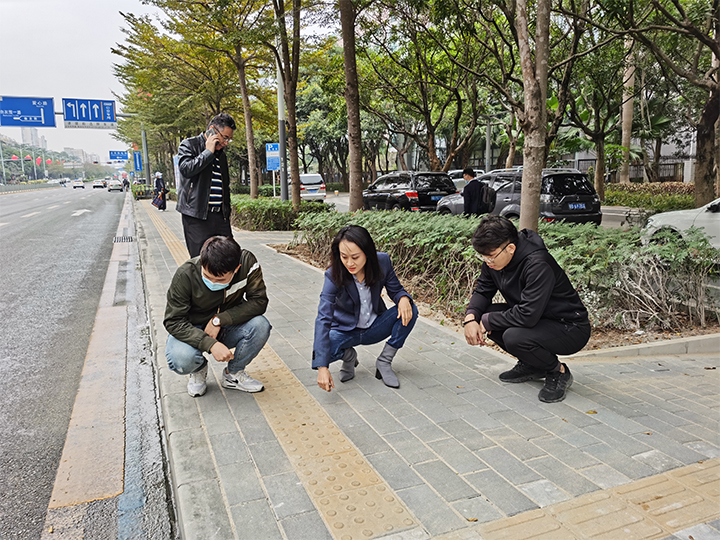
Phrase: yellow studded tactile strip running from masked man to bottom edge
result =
(352, 498)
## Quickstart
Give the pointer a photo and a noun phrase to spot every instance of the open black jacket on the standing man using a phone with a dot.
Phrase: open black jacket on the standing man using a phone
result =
(193, 189)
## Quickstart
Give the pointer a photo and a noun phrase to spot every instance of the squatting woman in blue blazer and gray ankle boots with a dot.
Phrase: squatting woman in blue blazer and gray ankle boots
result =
(352, 313)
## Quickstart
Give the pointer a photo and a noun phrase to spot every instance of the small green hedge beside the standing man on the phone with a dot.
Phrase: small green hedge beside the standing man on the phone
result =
(267, 214)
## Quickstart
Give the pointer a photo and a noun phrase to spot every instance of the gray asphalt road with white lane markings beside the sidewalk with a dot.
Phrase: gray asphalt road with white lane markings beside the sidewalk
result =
(54, 245)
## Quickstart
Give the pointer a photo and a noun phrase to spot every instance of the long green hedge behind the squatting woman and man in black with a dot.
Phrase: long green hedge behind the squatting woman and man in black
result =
(623, 281)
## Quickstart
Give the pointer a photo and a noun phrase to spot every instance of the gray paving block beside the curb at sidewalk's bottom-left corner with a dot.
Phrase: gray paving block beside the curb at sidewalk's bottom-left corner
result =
(202, 511)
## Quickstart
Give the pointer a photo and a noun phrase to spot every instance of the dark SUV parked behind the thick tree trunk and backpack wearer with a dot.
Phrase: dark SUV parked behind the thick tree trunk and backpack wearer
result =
(565, 195)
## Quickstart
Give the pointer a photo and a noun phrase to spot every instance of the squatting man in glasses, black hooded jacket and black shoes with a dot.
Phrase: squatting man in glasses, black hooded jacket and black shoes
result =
(543, 315)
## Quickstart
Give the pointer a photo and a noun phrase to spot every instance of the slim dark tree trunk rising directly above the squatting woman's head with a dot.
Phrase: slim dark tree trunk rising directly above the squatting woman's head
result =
(352, 102)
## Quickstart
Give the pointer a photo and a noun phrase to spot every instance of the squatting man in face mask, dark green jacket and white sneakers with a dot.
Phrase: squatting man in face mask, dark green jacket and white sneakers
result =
(216, 302)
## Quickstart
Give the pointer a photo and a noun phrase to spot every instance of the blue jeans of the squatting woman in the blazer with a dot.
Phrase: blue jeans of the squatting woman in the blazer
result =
(384, 325)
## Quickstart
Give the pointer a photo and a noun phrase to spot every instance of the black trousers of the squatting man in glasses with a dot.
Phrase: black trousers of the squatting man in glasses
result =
(539, 346)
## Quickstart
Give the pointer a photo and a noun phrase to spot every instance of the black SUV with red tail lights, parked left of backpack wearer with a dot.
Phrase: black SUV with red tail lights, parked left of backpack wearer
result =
(407, 190)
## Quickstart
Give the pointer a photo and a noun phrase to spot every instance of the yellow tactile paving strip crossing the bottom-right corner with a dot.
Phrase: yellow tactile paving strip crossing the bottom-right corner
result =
(649, 509)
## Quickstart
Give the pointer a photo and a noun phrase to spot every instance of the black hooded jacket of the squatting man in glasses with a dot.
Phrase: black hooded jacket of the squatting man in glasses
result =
(533, 285)
